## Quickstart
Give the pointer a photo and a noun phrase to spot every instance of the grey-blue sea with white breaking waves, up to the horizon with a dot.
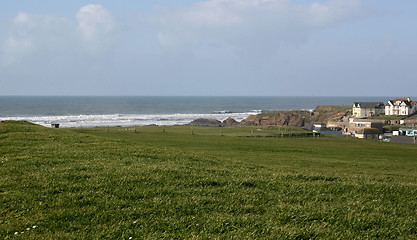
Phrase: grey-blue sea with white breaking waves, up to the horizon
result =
(96, 111)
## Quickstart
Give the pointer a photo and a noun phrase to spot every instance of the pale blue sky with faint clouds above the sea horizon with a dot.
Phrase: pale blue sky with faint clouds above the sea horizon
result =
(208, 48)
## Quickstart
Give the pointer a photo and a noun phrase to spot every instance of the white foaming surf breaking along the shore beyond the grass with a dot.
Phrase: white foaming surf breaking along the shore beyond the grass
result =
(69, 121)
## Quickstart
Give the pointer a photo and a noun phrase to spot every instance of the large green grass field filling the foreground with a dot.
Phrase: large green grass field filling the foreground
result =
(202, 183)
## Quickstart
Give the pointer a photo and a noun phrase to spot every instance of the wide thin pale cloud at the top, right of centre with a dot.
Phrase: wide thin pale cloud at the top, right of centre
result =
(246, 22)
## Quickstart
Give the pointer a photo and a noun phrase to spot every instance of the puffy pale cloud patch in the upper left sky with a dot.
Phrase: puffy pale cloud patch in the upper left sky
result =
(94, 31)
